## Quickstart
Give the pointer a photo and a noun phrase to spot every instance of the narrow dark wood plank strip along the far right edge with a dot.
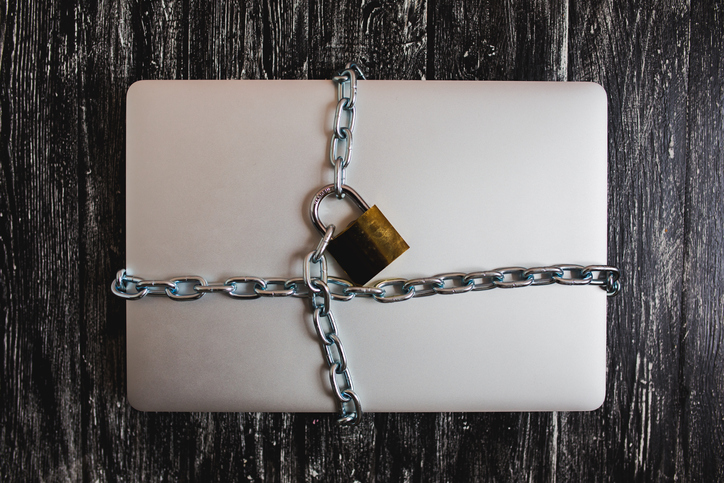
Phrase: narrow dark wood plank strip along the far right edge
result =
(702, 337)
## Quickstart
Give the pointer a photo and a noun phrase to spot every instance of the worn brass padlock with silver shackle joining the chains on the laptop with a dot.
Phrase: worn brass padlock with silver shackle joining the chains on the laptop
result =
(368, 245)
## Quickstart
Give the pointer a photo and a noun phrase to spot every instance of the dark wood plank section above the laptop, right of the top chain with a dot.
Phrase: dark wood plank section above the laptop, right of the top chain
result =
(489, 40)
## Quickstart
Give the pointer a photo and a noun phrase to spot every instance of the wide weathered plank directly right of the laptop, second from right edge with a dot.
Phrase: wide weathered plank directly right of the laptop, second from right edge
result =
(640, 55)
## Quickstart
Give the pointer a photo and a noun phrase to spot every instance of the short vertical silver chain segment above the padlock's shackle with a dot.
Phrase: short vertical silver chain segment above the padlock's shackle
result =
(340, 147)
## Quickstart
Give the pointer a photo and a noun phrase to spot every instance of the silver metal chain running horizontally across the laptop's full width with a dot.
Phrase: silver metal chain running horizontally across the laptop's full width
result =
(385, 291)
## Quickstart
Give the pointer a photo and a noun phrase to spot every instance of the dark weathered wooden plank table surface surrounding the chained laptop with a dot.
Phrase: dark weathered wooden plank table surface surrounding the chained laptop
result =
(65, 69)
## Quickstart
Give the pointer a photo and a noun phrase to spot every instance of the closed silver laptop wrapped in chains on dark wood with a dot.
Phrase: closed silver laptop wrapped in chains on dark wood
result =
(473, 175)
